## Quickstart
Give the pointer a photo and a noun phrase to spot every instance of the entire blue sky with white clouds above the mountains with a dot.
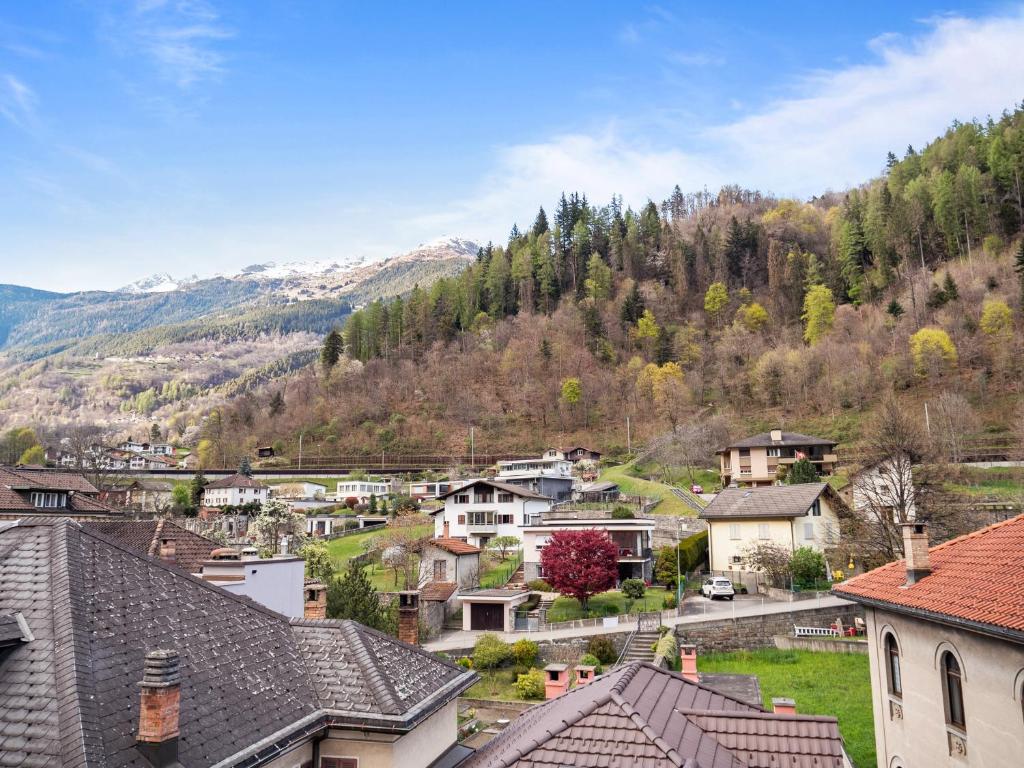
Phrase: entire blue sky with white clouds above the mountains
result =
(202, 137)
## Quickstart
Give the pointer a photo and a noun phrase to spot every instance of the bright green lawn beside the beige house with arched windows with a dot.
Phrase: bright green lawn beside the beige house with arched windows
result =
(837, 685)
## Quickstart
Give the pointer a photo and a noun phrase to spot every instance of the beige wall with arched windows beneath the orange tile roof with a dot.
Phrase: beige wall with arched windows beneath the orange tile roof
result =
(912, 732)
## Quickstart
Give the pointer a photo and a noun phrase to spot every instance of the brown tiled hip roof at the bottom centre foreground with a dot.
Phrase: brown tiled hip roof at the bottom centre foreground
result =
(642, 715)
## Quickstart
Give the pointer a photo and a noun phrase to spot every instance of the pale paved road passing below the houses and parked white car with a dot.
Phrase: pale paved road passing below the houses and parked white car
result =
(696, 611)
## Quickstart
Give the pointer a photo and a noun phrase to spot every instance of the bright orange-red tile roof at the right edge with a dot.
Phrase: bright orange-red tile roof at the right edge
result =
(977, 579)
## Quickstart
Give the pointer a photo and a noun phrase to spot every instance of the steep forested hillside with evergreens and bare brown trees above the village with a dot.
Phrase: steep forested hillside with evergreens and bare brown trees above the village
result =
(760, 310)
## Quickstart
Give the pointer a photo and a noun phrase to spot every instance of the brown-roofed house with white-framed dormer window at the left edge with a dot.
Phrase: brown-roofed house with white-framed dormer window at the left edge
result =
(31, 493)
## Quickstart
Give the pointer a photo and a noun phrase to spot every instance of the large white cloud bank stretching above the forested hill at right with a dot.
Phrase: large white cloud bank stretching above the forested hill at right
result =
(833, 133)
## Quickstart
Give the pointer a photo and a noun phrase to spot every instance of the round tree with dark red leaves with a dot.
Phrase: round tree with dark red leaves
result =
(580, 564)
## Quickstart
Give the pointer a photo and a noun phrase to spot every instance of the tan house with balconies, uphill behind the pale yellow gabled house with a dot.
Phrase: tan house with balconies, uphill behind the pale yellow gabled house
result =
(756, 460)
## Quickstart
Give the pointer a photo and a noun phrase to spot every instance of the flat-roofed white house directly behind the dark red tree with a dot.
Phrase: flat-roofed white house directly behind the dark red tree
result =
(632, 537)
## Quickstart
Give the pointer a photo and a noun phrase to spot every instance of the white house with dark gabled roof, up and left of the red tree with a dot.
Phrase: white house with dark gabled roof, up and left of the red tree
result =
(484, 509)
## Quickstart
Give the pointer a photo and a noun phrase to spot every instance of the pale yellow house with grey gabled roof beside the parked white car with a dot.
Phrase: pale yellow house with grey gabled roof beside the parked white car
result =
(791, 517)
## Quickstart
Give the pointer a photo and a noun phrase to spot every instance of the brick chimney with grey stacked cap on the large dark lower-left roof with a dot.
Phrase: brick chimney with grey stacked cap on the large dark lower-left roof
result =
(159, 709)
